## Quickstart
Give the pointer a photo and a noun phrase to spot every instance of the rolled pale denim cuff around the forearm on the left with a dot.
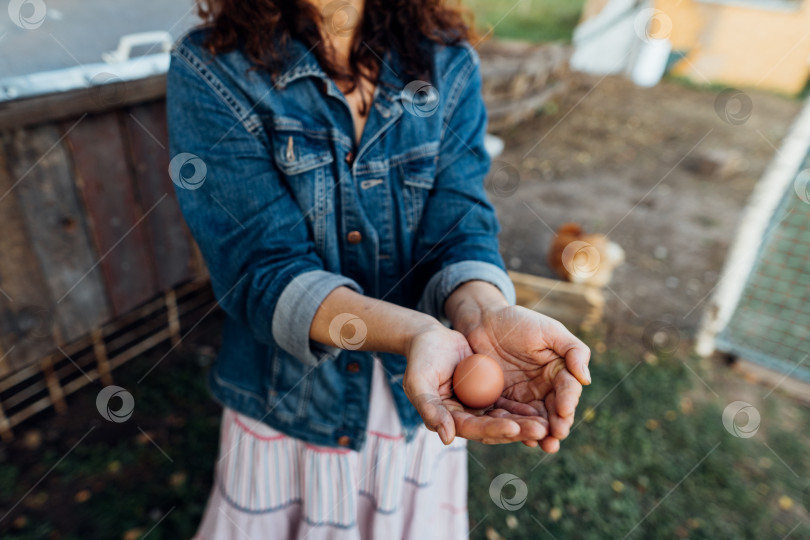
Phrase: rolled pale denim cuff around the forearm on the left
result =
(295, 310)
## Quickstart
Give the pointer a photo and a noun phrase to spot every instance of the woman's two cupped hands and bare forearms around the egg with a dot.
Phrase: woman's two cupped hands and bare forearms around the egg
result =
(538, 356)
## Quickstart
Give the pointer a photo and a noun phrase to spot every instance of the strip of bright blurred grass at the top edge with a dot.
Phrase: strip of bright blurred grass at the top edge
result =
(530, 20)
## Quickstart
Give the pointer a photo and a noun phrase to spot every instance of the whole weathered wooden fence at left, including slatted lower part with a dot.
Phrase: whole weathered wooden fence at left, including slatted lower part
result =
(93, 245)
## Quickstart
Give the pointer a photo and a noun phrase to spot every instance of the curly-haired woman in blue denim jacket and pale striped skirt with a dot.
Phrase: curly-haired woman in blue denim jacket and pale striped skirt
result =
(329, 160)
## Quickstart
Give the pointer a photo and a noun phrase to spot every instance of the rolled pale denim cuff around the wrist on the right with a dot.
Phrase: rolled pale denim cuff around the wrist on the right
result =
(446, 280)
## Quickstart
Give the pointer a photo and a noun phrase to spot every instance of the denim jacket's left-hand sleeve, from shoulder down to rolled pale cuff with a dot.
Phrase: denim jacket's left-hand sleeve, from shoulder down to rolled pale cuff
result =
(253, 236)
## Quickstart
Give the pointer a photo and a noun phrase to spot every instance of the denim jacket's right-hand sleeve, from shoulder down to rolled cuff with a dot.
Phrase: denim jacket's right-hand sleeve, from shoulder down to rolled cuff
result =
(458, 235)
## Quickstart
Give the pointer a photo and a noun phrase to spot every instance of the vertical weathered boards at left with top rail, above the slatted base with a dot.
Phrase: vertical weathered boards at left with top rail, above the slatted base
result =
(91, 225)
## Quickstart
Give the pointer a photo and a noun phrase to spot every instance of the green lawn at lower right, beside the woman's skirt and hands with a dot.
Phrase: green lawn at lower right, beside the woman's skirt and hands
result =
(654, 462)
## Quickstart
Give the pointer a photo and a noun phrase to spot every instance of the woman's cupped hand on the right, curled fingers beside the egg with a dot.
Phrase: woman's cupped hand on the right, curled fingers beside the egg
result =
(544, 365)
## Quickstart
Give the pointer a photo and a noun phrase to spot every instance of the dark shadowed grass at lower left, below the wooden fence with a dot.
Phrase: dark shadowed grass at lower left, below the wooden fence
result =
(128, 483)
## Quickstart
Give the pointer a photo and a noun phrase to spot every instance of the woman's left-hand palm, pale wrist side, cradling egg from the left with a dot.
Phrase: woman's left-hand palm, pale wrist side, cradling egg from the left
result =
(432, 356)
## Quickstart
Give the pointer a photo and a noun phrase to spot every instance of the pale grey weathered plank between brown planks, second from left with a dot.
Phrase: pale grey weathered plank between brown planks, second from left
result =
(40, 170)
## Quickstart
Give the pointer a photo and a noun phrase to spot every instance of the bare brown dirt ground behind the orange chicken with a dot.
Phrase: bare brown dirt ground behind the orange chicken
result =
(659, 170)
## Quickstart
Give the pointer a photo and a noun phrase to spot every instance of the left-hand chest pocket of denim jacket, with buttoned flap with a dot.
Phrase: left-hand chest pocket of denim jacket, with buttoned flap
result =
(304, 160)
